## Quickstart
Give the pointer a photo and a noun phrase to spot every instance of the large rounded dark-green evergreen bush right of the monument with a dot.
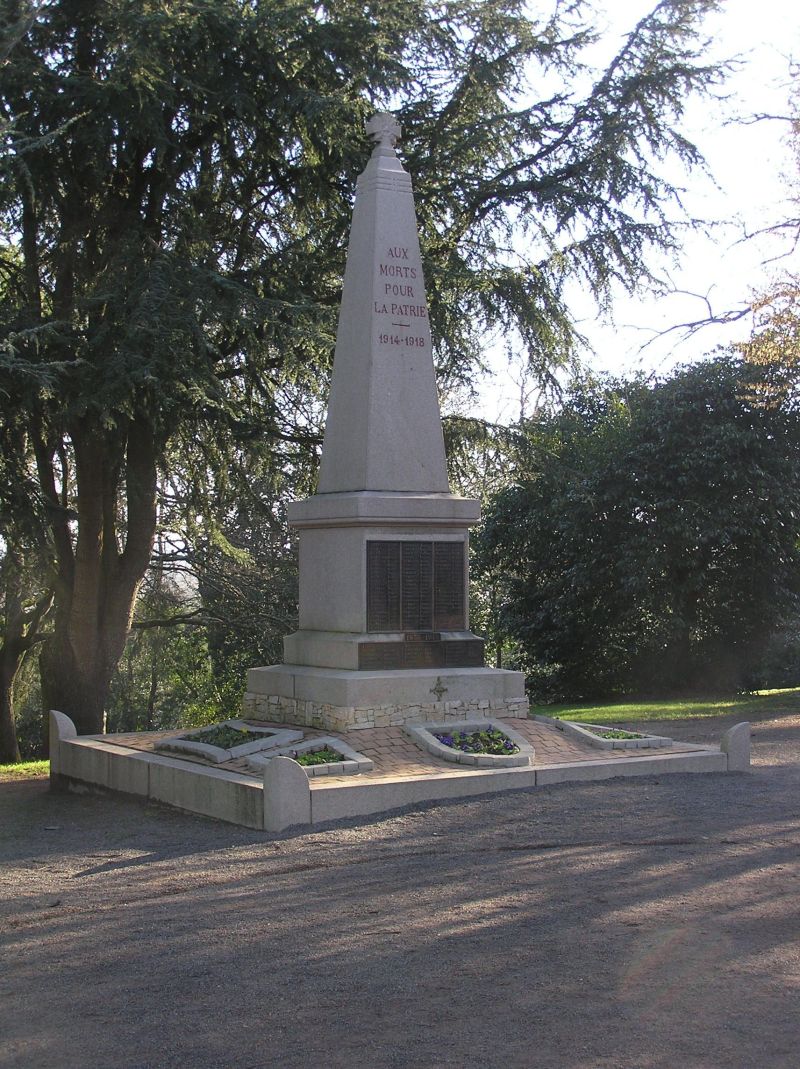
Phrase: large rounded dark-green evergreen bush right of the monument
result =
(650, 541)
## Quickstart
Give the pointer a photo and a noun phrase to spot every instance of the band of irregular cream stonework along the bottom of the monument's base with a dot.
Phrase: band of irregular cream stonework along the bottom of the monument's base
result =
(314, 715)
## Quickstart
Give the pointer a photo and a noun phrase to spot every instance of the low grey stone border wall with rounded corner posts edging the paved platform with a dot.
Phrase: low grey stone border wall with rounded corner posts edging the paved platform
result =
(285, 799)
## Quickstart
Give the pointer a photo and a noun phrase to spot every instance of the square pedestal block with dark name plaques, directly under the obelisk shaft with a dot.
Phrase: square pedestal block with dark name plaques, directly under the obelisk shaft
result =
(359, 606)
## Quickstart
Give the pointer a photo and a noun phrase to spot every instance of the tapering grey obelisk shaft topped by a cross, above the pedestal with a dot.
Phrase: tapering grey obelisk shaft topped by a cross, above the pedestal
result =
(383, 431)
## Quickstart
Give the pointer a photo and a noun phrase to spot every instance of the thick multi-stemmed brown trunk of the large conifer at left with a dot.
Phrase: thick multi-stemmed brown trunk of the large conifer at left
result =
(99, 580)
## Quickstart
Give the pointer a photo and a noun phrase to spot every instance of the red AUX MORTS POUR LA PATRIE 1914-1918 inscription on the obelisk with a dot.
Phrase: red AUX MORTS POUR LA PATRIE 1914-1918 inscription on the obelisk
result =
(399, 298)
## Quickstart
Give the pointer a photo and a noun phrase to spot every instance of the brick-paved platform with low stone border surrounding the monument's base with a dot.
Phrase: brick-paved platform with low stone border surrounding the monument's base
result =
(404, 774)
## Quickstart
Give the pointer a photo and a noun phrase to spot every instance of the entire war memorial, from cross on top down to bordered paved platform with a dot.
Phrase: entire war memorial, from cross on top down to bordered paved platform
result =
(383, 673)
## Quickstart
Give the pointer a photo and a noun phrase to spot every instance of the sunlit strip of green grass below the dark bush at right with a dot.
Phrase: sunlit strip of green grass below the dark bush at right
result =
(748, 706)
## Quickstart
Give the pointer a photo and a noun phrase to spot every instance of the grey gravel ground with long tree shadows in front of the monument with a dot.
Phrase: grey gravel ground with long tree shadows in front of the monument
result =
(623, 925)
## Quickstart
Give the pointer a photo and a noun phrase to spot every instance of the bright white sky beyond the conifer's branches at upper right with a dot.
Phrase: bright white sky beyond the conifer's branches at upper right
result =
(749, 164)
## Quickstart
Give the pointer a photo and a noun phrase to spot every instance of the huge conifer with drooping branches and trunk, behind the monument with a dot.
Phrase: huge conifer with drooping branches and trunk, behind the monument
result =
(176, 190)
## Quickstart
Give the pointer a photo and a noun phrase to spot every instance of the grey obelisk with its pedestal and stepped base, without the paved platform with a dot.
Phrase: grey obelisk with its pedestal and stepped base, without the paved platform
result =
(384, 634)
